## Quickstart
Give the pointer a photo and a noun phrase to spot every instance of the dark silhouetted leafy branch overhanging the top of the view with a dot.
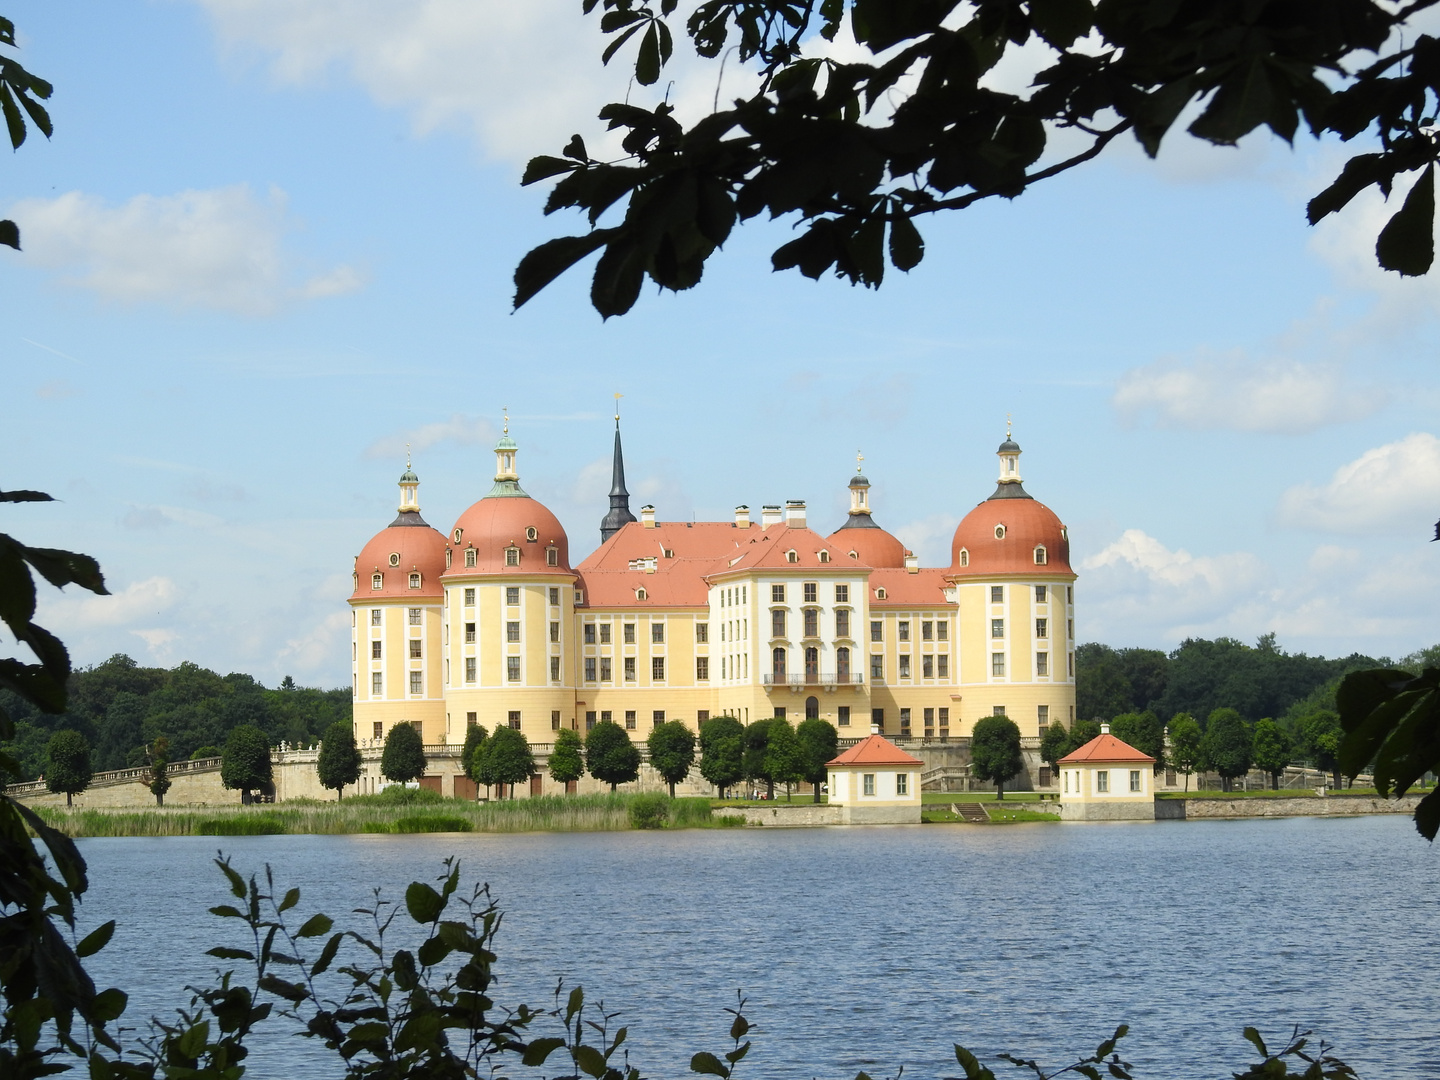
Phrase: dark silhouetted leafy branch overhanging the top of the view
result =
(827, 143)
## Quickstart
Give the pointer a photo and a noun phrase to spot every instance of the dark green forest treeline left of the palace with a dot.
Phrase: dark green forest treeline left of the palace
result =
(123, 708)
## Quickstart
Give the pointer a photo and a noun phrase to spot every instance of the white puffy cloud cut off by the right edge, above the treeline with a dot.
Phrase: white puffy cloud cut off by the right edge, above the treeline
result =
(1392, 489)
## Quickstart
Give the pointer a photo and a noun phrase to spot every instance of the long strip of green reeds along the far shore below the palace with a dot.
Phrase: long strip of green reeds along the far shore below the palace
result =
(381, 814)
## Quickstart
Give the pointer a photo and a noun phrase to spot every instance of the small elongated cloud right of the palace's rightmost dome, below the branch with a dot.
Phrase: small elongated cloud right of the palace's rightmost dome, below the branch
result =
(1236, 394)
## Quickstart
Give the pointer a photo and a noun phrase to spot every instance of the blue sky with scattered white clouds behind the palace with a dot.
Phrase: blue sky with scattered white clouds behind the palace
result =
(271, 244)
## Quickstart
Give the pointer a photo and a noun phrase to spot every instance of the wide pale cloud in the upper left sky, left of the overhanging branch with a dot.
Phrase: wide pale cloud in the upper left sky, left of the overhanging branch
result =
(212, 250)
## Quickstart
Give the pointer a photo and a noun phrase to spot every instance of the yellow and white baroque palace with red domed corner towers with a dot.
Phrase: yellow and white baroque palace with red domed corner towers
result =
(688, 620)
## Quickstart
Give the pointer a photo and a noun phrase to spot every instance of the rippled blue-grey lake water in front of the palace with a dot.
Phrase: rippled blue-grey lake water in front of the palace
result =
(878, 948)
